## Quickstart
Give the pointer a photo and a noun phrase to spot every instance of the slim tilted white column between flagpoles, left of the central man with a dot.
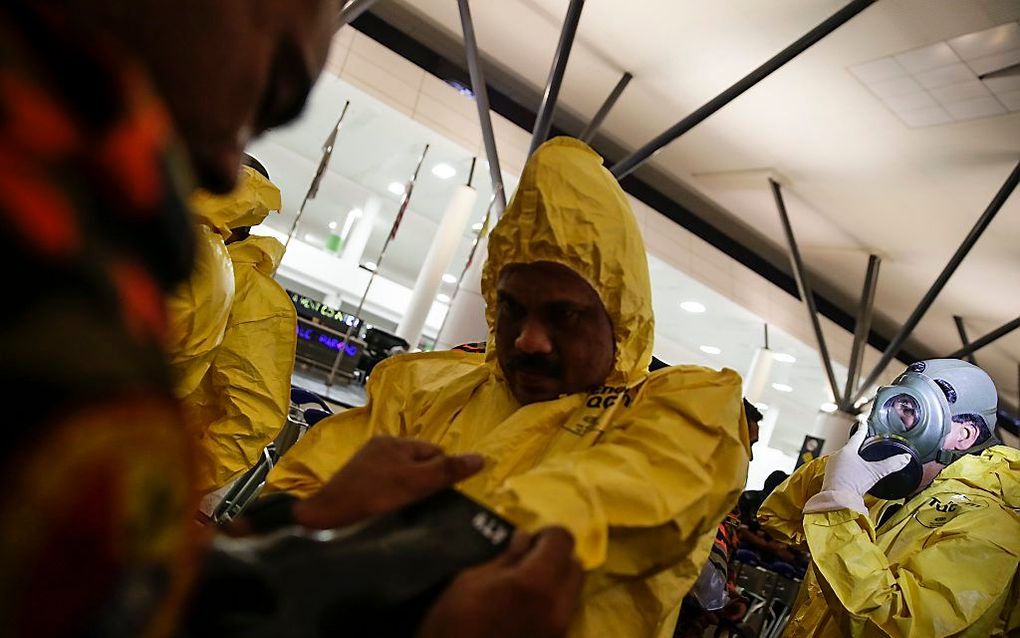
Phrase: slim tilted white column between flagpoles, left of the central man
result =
(452, 229)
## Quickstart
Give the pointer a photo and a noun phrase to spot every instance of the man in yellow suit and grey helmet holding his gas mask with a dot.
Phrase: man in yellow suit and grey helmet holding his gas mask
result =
(913, 526)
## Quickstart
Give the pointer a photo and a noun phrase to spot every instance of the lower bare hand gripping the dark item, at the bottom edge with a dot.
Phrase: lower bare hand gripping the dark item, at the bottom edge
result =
(529, 592)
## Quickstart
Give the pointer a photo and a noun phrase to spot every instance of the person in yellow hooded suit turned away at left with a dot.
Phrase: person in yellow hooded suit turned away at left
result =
(235, 371)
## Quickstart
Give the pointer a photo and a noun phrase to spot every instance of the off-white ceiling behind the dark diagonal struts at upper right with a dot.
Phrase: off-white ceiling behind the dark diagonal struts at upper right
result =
(883, 135)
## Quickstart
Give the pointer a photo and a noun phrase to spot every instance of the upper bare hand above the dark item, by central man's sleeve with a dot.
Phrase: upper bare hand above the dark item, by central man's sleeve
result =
(385, 475)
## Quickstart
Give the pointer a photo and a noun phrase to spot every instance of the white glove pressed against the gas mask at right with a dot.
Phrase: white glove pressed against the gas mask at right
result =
(848, 477)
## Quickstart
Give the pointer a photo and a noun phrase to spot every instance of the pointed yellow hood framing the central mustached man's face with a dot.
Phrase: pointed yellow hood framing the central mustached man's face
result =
(570, 210)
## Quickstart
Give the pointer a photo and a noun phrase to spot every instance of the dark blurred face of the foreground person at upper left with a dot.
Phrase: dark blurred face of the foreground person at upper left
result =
(230, 70)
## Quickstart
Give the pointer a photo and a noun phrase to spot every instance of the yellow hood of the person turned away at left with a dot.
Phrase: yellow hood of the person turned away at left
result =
(248, 205)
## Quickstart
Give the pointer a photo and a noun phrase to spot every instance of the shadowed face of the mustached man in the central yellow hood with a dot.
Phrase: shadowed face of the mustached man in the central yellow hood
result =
(553, 336)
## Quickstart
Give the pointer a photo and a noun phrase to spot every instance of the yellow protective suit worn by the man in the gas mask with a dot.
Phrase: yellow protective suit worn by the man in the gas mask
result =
(944, 565)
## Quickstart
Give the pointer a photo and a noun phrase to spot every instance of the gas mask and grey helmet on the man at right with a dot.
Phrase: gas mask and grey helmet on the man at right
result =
(915, 415)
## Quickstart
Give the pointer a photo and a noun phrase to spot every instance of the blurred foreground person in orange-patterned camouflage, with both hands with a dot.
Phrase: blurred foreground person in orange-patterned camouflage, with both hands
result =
(111, 115)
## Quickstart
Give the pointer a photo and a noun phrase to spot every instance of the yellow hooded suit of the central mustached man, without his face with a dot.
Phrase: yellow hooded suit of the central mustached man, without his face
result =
(641, 471)
